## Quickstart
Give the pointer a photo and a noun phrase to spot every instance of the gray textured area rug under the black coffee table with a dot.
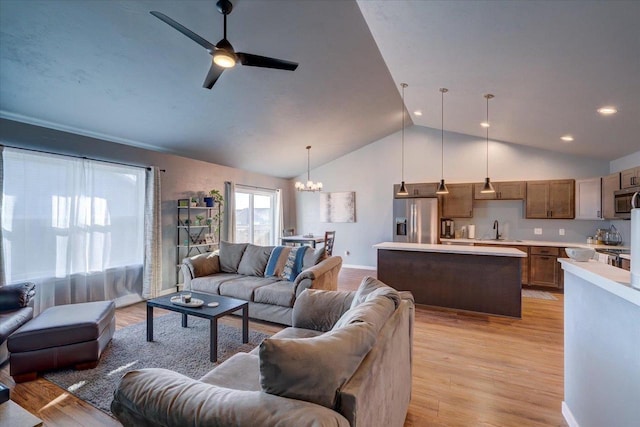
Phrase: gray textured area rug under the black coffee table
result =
(184, 350)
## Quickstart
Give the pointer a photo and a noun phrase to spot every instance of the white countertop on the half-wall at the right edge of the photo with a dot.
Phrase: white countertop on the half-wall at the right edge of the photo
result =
(612, 279)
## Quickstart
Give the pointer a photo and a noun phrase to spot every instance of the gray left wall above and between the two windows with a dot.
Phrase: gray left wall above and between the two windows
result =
(182, 178)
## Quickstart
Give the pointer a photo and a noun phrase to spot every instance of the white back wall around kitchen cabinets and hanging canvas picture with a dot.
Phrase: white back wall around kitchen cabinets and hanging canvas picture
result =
(372, 170)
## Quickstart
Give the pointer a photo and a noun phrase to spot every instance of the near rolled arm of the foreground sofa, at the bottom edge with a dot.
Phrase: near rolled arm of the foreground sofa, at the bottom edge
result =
(159, 397)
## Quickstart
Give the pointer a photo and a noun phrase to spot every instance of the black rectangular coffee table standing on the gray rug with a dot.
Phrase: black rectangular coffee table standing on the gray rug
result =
(226, 306)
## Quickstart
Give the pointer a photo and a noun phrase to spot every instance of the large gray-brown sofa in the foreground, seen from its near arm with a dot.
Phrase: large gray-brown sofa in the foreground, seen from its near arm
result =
(345, 362)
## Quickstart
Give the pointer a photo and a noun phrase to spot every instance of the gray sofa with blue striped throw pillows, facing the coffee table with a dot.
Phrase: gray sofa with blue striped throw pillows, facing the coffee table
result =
(258, 274)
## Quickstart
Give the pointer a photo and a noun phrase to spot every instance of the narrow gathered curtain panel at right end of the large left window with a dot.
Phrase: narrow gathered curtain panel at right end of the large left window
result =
(152, 281)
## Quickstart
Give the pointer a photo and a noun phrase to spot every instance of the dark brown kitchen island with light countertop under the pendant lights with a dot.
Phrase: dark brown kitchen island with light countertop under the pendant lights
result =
(471, 278)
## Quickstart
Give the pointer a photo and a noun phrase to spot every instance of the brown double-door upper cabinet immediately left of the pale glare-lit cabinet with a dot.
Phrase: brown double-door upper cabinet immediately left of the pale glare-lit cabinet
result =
(552, 199)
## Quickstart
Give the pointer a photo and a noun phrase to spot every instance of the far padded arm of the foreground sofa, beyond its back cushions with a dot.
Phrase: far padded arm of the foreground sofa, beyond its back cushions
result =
(319, 310)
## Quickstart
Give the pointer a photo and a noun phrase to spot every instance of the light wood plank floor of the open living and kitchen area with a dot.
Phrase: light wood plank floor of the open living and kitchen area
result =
(468, 370)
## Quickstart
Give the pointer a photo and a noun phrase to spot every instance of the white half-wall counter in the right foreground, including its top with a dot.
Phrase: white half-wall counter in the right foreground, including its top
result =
(601, 346)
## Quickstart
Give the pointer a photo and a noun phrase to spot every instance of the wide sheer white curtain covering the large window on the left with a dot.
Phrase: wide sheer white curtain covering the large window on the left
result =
(72, 226)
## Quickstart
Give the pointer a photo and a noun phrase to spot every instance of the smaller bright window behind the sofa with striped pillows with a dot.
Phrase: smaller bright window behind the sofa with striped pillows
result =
(256, 216)
